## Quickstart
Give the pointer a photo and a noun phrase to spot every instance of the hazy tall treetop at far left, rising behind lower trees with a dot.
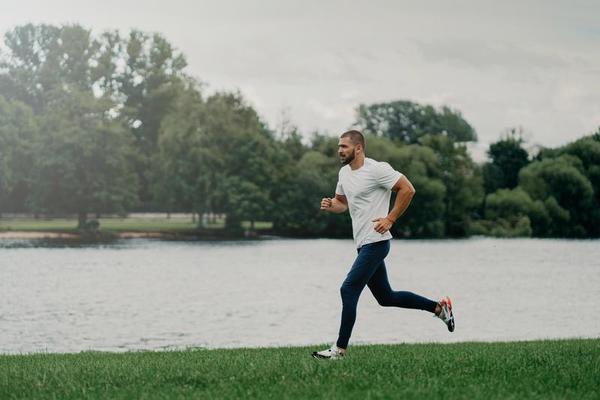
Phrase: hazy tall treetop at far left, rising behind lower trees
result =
(41, 59)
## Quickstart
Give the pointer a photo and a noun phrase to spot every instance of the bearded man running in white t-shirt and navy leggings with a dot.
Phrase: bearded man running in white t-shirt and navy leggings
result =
(365, 187)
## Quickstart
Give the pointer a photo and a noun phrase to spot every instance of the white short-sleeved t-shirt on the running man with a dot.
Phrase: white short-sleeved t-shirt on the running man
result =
(368, 191)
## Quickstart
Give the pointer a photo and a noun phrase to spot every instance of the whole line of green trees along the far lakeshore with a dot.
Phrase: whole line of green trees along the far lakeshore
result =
(113, 123)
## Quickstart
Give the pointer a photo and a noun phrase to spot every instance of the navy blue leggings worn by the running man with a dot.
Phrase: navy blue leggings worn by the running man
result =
(369, 269)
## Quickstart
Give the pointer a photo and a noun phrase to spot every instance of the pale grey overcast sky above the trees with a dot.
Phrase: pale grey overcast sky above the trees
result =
(530, 63)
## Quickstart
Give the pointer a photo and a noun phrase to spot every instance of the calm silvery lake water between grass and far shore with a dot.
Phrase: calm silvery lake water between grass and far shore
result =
(152, 294)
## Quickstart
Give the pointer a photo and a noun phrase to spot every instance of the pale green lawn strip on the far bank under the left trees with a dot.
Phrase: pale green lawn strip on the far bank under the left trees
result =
(115, 225)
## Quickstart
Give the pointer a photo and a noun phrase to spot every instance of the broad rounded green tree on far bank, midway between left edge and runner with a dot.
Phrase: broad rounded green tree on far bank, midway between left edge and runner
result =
(217, 156)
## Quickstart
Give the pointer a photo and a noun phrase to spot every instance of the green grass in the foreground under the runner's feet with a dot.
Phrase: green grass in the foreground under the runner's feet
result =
(542, 369)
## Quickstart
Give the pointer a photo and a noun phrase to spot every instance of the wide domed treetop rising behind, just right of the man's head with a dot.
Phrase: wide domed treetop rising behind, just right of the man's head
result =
(409, 122)
